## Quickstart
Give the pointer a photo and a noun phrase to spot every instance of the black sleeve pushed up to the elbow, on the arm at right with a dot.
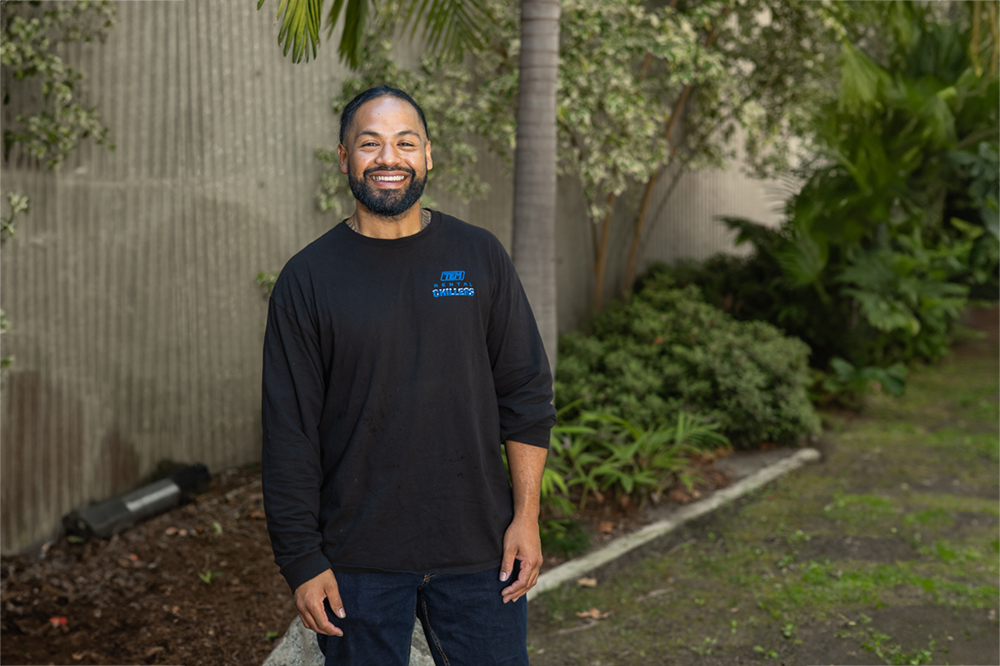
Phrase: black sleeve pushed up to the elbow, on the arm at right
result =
(520, 366)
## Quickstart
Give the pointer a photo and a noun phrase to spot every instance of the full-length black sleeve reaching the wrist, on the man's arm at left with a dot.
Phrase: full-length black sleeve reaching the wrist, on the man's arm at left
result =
(292, 475)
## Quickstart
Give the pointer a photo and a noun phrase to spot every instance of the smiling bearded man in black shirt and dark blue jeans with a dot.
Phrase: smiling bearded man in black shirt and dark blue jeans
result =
(400, 353)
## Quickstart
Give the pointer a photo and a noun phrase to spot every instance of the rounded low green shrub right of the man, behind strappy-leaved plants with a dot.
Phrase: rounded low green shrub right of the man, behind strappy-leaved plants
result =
(667, 351)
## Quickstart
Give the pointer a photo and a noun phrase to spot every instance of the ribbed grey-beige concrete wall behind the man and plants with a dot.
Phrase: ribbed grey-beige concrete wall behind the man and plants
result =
(136, 323)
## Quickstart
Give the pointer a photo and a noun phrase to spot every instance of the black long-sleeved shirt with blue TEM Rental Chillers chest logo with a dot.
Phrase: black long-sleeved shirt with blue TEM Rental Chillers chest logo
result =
(393, 371)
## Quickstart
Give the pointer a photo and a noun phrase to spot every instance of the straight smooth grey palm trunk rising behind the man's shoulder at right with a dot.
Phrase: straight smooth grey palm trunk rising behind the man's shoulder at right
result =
(534, 226)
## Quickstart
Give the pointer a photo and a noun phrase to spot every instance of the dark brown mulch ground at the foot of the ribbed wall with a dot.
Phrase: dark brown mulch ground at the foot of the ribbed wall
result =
(138, 597)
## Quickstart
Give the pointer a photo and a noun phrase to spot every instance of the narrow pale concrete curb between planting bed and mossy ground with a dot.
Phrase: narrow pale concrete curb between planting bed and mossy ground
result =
(576, 568)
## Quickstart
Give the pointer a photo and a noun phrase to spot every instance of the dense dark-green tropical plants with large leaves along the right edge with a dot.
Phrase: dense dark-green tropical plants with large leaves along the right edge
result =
(897, 221)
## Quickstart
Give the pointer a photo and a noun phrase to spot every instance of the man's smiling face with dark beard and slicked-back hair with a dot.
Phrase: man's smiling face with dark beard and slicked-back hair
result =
(387, 156)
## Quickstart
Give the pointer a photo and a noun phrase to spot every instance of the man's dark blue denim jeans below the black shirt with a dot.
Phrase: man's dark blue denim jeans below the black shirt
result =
(464, 619)
